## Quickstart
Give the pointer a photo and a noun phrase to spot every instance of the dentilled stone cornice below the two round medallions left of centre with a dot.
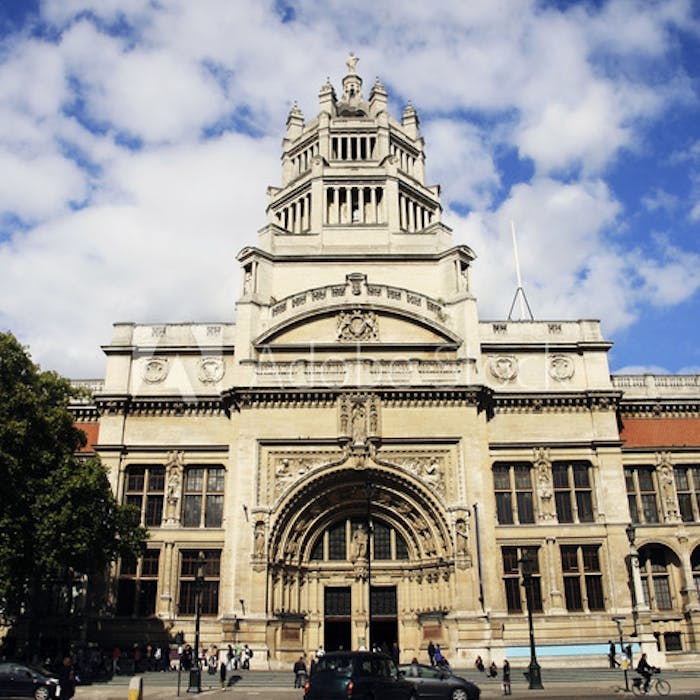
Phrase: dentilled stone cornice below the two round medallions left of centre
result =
(159, 406)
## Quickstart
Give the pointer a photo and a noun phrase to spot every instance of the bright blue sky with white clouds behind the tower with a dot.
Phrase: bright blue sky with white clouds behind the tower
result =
(137, 140)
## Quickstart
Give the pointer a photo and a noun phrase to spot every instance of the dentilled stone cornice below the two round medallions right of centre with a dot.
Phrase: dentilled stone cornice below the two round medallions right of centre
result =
(550, 402)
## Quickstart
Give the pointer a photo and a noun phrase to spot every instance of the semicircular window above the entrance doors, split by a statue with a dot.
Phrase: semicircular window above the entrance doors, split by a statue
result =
(335, 543)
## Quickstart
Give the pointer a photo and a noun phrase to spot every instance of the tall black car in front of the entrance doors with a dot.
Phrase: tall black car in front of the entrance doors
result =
(360, 675)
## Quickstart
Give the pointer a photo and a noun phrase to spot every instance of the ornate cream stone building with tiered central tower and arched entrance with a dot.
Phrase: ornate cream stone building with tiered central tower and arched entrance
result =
(363, 460)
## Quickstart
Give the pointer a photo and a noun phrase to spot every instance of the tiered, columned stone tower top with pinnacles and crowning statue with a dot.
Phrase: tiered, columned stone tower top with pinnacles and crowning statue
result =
(353, 176)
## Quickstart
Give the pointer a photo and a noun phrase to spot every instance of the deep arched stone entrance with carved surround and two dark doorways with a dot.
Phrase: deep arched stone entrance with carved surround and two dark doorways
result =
(360, 555)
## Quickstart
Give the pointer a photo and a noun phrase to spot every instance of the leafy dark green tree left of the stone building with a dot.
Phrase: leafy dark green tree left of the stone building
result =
(58, 515)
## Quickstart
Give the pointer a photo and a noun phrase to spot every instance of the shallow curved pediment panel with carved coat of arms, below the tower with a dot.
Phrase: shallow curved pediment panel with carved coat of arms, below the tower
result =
(351, 324)
